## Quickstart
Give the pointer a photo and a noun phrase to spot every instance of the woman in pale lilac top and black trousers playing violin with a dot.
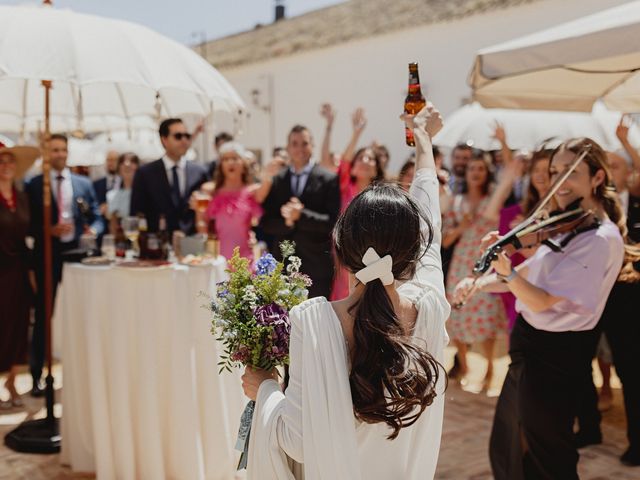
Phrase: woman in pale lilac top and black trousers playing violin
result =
(561, 293)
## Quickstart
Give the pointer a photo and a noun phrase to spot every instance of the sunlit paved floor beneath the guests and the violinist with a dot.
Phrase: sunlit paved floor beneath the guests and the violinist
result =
(463, 452)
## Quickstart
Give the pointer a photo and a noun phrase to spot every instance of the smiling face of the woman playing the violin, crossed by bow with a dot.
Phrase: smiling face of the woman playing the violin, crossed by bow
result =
(580, 183)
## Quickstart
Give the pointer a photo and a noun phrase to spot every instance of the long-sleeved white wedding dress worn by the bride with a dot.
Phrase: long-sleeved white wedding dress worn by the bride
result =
(310, 431)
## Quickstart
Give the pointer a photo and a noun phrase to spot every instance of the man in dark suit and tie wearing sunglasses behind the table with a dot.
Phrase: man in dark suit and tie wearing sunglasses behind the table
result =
(163, 187)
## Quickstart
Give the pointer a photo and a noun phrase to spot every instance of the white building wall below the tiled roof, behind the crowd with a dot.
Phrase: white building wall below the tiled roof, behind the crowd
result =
(372, 73)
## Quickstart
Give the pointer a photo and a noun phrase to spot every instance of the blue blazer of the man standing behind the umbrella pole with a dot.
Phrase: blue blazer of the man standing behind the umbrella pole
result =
(82, 189)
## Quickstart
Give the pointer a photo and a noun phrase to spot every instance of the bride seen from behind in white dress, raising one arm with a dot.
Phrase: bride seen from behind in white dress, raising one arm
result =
(366, 392)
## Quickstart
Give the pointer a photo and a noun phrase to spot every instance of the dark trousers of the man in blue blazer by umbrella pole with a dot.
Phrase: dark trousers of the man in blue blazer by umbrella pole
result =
(38, 348)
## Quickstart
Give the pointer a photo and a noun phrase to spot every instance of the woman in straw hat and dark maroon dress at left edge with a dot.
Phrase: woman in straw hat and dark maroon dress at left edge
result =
(15, 292)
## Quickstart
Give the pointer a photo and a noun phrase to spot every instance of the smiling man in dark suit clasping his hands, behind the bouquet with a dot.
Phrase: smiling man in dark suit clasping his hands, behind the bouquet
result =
(303, 205)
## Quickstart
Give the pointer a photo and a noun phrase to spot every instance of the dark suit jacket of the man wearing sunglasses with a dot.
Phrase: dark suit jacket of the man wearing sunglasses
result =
(151, 196)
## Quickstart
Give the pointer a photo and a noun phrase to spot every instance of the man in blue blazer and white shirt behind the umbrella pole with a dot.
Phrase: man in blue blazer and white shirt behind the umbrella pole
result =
(74, 211)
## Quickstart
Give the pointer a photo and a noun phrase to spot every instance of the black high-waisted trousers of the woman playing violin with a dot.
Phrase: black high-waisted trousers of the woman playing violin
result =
(532, 435)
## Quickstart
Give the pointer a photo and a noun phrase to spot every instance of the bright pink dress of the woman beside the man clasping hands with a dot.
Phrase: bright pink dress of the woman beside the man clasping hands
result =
(233, 212)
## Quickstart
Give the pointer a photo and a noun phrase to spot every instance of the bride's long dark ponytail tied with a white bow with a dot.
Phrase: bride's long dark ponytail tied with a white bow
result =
(392, 379)
